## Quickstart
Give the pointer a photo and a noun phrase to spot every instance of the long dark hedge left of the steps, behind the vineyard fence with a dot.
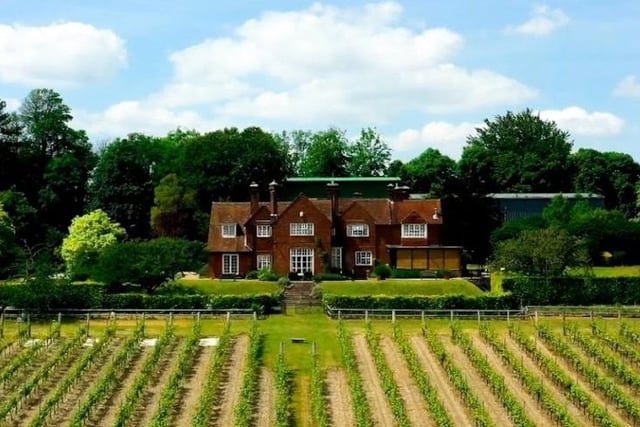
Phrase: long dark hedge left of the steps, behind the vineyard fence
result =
(95, 296)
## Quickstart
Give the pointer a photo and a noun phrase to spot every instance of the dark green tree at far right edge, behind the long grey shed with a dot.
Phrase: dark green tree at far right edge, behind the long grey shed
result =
(610, 174)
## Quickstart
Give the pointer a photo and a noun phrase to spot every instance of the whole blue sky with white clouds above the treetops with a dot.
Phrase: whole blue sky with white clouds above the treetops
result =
(424, 73)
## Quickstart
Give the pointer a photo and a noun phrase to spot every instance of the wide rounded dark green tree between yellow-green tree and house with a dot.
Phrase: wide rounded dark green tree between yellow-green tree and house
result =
(148, 263)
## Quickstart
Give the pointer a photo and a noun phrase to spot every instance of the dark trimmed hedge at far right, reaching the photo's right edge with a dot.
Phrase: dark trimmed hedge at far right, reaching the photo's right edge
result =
(574, 290)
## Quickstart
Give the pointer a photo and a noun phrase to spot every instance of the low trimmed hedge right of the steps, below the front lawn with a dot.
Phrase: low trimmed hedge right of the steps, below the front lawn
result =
(435, 302)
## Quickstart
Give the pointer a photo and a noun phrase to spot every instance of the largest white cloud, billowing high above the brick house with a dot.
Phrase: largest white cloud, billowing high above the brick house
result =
(333, 65)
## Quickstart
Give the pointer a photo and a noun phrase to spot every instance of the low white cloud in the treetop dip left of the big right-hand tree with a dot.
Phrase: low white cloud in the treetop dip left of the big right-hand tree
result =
(448, 138)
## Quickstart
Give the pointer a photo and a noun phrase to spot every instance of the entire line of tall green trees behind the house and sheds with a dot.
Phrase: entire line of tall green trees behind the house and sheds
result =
(163, 186)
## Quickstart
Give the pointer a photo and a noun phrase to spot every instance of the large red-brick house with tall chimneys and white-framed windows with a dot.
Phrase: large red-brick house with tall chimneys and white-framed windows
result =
(346, 235)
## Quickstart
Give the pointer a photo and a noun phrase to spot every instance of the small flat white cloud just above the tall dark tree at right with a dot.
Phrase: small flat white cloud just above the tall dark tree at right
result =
(580, 122)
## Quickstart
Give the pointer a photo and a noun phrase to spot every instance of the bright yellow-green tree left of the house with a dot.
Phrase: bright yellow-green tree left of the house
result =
(89, 235)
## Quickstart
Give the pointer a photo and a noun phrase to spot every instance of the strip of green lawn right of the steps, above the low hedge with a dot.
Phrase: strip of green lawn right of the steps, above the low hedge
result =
(401, 287)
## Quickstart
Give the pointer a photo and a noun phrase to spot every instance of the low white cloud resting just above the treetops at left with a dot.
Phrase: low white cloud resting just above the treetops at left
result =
(133, 116)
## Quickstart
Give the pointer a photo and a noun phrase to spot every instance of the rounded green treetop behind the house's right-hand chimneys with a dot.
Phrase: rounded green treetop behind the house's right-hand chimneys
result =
(431, 172)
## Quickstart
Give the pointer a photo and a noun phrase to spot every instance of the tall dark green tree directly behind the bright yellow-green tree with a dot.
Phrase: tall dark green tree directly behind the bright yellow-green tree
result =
(122, 183)
